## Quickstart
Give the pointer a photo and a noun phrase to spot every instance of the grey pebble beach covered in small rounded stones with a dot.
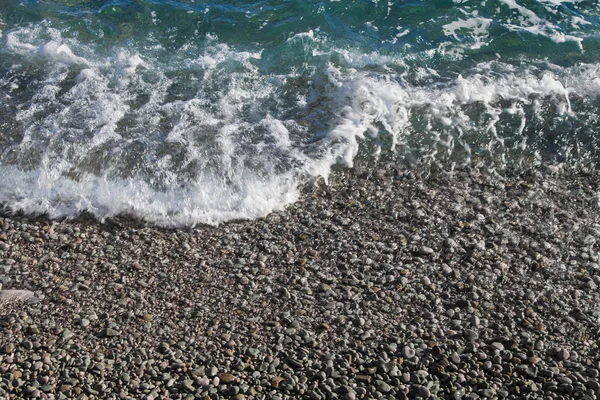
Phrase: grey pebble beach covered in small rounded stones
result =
(381, 285)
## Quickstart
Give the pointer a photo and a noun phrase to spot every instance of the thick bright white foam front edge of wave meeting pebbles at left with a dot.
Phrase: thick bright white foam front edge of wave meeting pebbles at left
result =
(205, 201)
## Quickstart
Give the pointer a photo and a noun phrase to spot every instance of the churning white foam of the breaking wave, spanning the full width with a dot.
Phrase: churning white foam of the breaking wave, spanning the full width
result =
(123, 138)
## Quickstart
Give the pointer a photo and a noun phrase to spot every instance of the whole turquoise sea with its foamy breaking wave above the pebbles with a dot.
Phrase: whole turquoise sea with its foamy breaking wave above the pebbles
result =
(185, 112)
